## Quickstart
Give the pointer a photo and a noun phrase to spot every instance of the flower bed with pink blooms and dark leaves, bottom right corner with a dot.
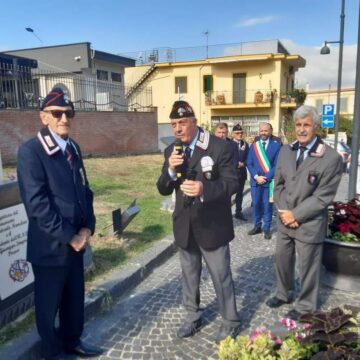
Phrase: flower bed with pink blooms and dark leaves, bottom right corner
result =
(333, 334)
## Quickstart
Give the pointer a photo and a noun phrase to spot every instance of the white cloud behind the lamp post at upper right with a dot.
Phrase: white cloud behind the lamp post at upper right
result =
(322, 70)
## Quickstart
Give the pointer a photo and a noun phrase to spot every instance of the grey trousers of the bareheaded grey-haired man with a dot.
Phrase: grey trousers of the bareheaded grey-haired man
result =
(309, 265)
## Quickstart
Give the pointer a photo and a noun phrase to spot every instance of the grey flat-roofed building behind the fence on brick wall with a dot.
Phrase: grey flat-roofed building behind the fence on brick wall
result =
(93, 79)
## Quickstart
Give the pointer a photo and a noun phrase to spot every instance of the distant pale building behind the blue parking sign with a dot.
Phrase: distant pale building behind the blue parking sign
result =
(318, 98)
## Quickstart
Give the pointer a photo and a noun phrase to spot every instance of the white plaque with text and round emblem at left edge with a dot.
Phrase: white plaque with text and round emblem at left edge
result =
(15, 271)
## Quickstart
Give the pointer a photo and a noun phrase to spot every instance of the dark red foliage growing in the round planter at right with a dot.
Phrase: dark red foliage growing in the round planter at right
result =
(344, 222)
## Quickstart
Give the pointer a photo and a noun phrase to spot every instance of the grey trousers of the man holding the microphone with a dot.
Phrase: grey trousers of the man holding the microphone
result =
(218, 263)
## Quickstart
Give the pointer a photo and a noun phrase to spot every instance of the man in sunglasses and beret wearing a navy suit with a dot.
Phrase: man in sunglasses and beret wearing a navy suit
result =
(59, 206)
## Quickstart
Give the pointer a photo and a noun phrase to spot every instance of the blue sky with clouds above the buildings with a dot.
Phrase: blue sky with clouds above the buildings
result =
(125, 26)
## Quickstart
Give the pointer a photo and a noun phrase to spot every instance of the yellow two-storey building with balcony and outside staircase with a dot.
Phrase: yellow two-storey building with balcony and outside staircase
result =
(249, 88)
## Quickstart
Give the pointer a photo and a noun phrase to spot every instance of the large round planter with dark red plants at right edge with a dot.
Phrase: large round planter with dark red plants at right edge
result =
(341, 256)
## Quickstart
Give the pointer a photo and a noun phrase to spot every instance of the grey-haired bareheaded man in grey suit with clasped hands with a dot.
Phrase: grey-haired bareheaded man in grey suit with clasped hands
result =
(307, 175)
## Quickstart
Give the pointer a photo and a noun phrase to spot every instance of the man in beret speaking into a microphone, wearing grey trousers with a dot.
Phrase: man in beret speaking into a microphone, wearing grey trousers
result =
(202, 174)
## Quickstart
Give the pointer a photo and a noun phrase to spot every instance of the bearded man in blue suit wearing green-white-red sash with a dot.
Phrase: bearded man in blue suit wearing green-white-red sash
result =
(261, 164)
